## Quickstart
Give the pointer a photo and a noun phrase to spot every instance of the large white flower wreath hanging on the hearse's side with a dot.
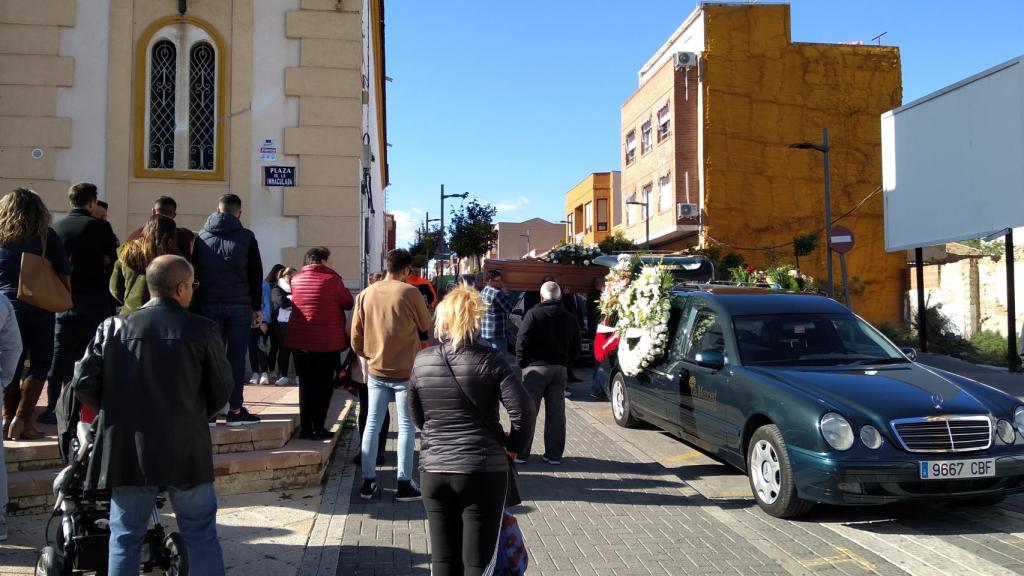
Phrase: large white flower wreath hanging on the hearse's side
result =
(644, 318)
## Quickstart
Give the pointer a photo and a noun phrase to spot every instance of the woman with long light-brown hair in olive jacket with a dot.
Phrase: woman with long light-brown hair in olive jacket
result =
(129, 281)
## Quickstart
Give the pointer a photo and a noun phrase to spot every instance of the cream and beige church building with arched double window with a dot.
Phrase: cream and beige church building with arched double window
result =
(197, 99)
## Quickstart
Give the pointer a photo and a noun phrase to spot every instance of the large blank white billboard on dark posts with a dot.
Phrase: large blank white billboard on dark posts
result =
(954, 161)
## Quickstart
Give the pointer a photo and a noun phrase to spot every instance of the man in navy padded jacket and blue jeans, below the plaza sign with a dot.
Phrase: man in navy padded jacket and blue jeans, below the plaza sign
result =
(229, 266)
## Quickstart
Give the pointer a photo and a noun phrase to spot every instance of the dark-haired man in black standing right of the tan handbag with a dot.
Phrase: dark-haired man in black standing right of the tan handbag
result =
(92, 249)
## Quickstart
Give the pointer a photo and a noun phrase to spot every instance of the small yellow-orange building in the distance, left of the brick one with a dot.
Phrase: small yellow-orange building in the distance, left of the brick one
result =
(590, 209)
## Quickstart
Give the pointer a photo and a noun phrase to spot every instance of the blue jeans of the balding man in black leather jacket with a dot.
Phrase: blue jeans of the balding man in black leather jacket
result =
(196, 510)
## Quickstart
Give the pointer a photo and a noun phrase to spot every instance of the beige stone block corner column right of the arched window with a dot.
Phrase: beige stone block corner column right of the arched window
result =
(328, 139)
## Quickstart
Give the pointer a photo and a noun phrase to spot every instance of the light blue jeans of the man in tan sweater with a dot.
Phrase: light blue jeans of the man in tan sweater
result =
(381, 394)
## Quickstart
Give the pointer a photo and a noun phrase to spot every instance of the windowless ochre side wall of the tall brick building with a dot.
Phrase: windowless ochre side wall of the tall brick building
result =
(761, 93)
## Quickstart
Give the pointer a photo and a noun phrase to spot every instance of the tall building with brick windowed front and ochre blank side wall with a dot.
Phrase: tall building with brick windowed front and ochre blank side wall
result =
(735, 92)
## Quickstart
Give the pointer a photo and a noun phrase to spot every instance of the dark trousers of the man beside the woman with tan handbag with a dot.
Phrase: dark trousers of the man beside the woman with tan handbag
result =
(74, 331)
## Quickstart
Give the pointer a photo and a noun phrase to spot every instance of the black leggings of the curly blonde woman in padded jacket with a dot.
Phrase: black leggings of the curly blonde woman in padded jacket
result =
(464, 514)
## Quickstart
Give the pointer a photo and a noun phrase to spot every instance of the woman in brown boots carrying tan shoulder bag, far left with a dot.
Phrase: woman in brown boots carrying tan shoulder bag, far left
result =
(25, 228)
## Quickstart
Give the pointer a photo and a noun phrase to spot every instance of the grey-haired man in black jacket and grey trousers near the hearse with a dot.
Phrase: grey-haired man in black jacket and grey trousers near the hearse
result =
(548, 342)
